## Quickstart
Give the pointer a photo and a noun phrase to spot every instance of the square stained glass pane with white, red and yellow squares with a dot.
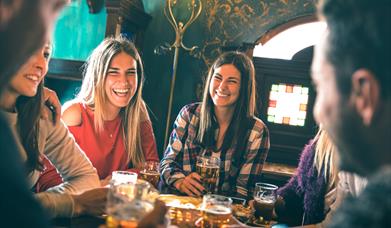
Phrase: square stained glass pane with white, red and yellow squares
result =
(287, 104)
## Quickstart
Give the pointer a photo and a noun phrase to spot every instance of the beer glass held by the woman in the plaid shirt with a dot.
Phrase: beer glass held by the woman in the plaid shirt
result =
(208, 168)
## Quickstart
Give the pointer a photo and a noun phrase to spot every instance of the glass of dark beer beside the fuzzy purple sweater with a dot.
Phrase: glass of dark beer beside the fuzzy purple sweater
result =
(265, 196)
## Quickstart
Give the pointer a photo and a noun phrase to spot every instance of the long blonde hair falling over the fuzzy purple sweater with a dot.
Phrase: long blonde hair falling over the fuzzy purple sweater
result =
(325, 159)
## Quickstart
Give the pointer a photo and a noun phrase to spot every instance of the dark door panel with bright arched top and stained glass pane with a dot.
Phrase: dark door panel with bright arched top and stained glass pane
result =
(282, 60)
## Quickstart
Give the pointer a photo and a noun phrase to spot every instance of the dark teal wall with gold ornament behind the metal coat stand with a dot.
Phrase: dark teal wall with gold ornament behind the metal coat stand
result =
(222, 22)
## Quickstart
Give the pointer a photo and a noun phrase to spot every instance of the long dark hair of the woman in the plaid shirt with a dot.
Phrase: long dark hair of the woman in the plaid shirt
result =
(245, 106)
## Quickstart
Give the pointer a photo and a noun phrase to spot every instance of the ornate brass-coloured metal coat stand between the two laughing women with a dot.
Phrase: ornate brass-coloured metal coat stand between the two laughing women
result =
(179, 28)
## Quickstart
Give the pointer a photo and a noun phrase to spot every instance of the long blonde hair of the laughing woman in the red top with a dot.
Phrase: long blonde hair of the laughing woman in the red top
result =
(93, 94)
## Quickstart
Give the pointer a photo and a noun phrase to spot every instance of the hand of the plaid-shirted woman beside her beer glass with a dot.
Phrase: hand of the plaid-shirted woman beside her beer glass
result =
(190, 185)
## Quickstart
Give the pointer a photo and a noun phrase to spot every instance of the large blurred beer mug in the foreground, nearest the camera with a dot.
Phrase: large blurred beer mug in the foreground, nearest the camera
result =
(127, 203)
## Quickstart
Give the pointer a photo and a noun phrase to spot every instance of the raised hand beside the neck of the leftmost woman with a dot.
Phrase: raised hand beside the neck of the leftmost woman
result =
(53, 104)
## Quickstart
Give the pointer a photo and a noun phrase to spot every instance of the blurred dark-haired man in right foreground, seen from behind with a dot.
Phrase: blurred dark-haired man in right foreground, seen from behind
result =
(352, 75)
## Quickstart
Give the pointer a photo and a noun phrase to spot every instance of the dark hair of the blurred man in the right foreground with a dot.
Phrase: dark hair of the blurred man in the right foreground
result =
(359, 37)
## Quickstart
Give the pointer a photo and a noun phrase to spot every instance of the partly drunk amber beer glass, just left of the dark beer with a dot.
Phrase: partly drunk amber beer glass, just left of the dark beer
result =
(216, 211)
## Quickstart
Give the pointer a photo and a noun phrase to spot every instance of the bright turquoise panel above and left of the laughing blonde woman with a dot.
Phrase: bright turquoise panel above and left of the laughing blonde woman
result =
(78, 32)
